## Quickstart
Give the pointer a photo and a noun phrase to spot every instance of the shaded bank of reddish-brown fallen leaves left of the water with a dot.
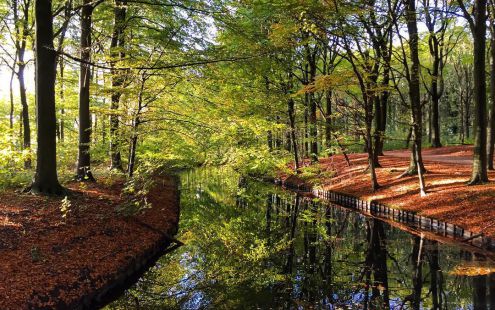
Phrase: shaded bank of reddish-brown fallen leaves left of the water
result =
(51, 261)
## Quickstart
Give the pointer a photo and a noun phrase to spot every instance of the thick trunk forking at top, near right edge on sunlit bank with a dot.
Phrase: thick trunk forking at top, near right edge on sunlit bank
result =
(477, 24)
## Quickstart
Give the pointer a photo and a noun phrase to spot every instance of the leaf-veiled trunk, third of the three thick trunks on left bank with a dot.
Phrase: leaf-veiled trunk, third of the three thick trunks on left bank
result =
(117, 53)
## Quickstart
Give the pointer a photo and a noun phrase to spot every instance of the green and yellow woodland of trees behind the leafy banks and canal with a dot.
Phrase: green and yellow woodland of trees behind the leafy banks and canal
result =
(249, 84)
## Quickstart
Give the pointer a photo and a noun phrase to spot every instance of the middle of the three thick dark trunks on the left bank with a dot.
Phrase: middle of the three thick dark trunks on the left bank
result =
(83, 172)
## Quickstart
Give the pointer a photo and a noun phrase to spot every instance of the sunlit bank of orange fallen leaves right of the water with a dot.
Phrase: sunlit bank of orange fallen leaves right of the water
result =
(448, 197)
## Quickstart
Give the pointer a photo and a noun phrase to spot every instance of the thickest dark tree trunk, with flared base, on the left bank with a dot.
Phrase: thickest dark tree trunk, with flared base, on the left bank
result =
(45, 179)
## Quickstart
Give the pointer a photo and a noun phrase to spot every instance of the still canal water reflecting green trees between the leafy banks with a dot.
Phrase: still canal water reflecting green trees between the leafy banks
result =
(250, 245)
